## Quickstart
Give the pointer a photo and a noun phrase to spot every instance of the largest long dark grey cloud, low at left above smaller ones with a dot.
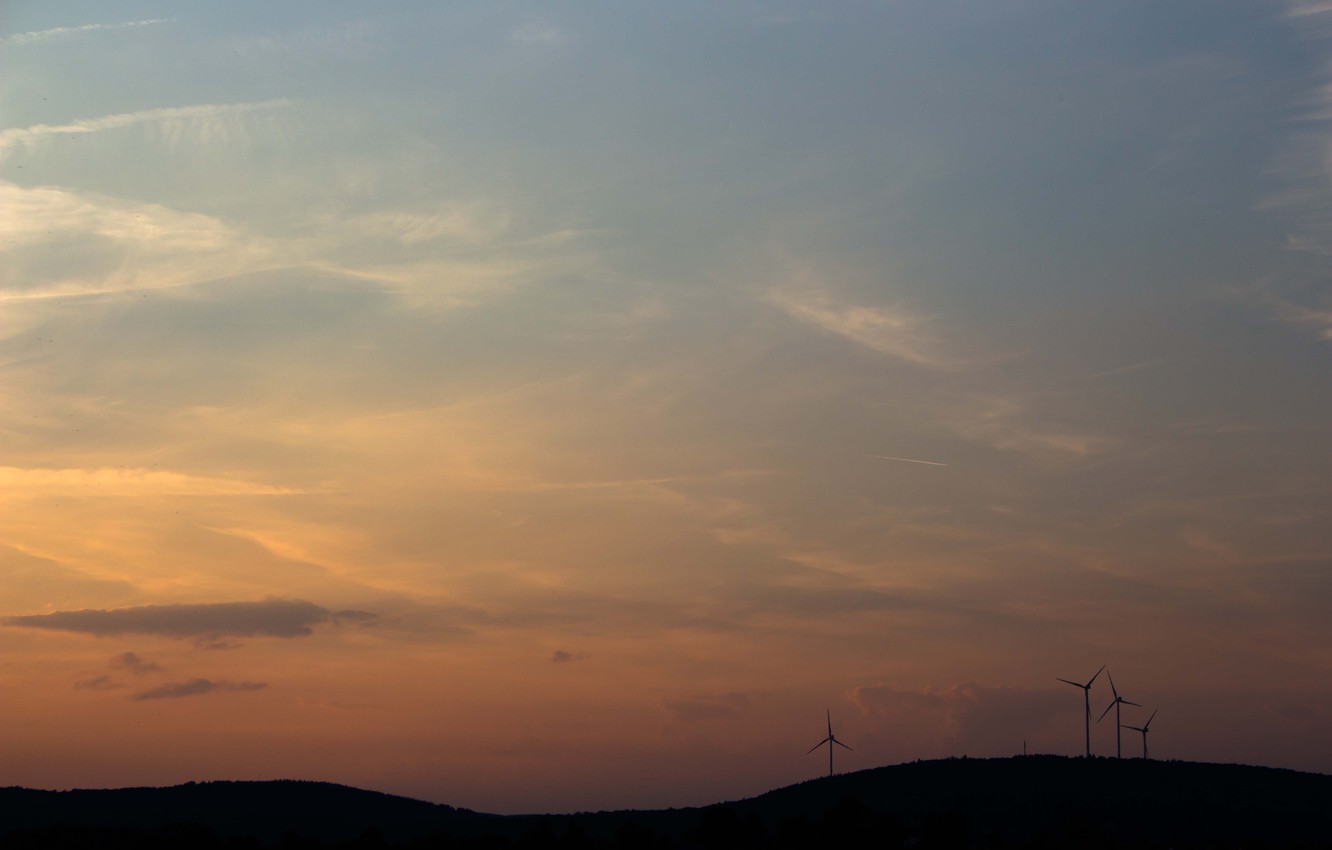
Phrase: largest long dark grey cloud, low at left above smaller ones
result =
(207, 624)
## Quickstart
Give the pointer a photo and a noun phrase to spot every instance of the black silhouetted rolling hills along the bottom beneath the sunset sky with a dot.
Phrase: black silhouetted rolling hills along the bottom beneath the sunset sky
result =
(957, 804)
